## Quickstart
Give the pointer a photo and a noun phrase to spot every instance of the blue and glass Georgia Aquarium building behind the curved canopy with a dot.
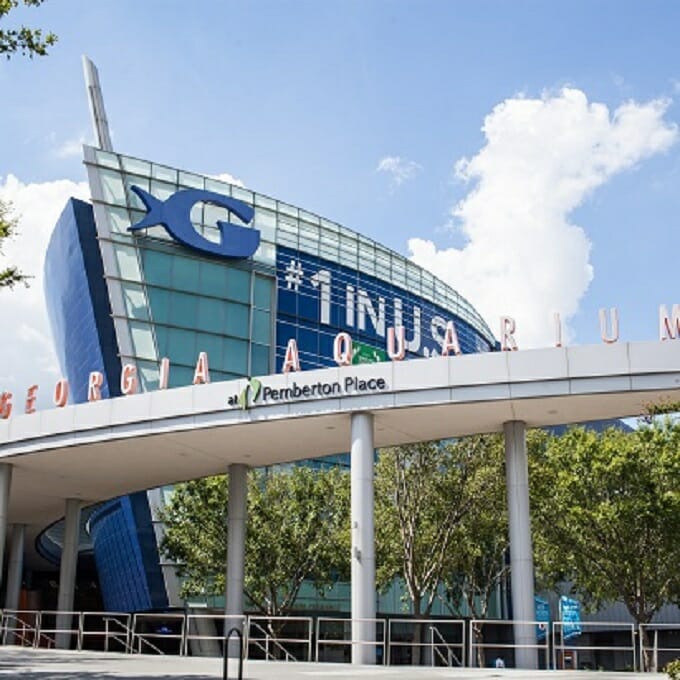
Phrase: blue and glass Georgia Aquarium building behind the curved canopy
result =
(215, 268)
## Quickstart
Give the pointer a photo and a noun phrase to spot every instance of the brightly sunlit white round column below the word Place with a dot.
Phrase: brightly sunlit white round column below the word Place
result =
(363, 539)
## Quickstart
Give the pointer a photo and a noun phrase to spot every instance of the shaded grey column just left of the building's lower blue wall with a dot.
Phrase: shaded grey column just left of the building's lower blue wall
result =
(67, 572)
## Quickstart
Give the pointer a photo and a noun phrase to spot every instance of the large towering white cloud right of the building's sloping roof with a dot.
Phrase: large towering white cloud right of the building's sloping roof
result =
(542, 158)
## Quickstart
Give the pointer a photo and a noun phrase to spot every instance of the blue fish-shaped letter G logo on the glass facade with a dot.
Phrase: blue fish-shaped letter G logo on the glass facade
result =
(175, 215)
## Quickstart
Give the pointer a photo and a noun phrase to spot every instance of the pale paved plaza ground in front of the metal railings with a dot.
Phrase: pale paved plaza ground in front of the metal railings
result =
(38, 664)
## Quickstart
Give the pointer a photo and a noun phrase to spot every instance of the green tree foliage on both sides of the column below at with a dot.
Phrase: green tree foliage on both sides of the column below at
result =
(298, 529)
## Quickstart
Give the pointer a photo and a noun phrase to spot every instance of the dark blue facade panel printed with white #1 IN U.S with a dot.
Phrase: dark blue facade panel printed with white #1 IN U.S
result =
(317, 299)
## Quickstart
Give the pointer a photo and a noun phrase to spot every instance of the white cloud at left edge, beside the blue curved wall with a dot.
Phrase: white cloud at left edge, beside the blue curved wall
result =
(26, 348)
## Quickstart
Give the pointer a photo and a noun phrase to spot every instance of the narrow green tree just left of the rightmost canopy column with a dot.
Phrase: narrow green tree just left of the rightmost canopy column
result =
(477, 565)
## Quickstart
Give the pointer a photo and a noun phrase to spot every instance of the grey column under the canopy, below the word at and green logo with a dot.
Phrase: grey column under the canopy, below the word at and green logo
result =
(236, 552)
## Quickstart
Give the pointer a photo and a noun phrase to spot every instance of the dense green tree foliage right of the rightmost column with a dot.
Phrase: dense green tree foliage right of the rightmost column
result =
(606, 515)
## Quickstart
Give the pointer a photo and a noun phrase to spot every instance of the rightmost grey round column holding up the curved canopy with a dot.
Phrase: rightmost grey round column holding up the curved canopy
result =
(521, 554)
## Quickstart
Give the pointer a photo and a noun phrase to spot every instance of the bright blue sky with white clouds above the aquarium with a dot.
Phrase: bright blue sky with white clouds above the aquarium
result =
(303, 100)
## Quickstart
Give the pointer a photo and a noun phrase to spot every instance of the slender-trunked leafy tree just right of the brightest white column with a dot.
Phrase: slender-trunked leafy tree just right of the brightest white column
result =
(423, 492)
